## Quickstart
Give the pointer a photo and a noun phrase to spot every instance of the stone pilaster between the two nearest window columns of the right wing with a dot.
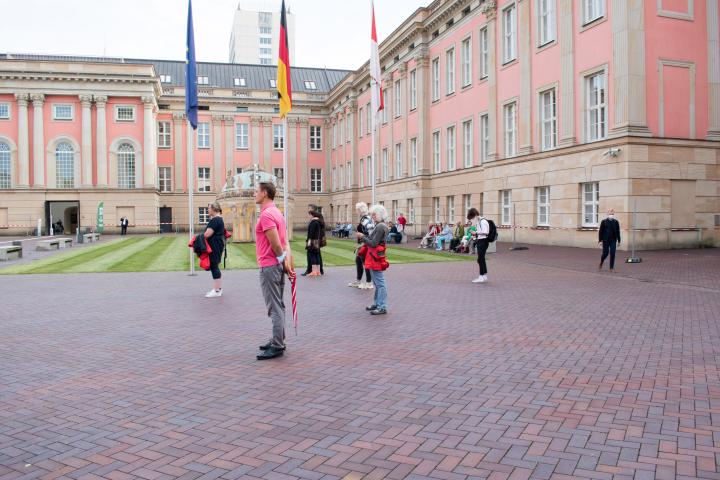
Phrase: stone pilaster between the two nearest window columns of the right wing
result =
(566, 95)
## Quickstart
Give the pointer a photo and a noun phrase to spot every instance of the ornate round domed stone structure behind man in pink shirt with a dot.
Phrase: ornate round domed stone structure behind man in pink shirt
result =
(237, 200)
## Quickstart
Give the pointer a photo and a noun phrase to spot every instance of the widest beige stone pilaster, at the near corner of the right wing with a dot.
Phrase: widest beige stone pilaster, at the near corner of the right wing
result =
(628, 72)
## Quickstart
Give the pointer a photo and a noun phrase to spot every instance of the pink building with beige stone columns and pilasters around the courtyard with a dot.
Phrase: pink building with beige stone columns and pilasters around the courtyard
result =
(541, 113)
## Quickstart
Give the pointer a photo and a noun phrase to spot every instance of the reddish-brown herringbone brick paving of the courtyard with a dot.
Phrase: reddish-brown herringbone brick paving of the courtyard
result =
(546, 372)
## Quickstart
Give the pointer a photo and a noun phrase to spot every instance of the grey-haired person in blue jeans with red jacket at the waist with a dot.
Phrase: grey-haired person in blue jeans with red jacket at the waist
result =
(375, 242)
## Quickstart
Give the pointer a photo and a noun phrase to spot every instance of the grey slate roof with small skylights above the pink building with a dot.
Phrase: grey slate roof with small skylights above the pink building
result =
(220, 75)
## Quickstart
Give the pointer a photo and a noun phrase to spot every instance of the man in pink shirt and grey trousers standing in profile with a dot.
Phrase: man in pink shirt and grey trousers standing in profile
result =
(272, 253)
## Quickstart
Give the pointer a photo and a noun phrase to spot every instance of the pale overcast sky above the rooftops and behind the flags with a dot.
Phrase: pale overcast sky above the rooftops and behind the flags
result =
(329, 33)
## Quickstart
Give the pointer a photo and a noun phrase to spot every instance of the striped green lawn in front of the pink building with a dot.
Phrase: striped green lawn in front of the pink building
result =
(167, 253)
